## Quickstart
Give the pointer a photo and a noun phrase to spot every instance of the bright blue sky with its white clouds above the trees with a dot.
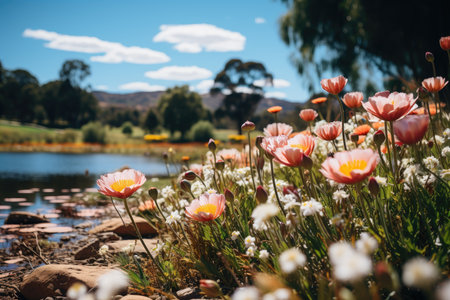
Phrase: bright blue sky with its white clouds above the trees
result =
(146, 45)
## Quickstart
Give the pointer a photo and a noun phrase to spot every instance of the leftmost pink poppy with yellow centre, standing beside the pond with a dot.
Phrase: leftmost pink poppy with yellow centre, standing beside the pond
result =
(121, 184)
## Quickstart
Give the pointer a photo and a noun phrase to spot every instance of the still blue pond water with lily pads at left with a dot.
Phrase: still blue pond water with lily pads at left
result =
(57, 174)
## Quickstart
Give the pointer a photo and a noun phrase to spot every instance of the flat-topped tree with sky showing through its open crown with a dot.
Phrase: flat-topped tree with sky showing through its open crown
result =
(237, 105)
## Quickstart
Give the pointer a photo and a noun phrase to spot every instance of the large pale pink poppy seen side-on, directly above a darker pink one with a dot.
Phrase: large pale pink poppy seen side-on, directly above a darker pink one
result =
(390, 107)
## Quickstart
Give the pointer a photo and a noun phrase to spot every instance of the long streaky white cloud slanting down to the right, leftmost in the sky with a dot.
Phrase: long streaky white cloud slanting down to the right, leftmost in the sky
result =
(112, 52)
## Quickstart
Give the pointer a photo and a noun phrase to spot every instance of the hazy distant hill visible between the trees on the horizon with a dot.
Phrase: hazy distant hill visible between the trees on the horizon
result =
(143, 100)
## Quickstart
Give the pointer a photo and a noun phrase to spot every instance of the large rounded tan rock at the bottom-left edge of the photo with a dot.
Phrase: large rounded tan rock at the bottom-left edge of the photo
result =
(54, 280)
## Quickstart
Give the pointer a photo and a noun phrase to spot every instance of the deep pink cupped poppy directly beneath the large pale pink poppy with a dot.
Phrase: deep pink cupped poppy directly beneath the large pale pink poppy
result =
(411, 129)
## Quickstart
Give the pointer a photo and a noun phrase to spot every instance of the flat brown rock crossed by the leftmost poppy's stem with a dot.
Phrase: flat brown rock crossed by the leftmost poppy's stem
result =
(115, 225)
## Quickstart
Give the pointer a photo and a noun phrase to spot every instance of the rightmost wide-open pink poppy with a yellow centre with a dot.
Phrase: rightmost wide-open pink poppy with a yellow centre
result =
(350, 167)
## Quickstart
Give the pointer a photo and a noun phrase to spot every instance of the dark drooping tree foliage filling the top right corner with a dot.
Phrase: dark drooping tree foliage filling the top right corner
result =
(351, 37)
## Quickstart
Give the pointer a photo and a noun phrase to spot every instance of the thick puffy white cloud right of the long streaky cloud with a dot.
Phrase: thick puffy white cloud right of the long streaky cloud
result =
(194, 38)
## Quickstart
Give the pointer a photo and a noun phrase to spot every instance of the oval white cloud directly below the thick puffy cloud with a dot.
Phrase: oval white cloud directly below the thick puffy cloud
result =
(179, 73)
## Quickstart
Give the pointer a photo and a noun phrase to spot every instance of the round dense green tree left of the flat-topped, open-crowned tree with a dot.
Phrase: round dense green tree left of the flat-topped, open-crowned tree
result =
(180, 109)
